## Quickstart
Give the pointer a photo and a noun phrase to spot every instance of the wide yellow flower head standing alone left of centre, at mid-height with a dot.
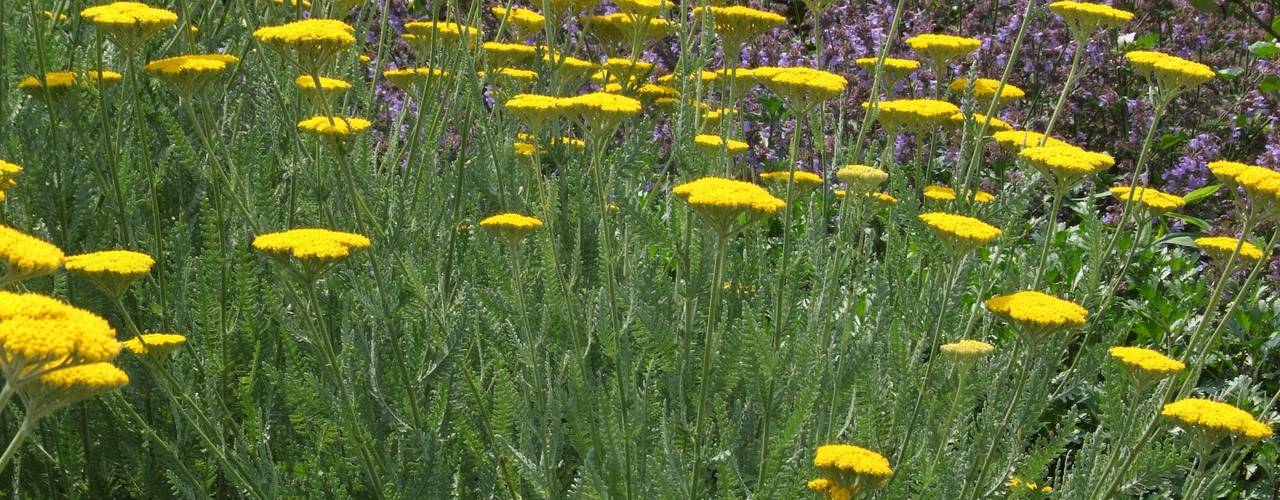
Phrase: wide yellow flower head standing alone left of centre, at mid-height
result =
(316, 250)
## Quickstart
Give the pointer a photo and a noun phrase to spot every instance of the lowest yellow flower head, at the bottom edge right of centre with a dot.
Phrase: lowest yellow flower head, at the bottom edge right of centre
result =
(847, 471)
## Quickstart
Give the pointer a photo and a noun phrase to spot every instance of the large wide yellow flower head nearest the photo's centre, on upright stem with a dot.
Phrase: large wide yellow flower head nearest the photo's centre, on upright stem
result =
(721, 201)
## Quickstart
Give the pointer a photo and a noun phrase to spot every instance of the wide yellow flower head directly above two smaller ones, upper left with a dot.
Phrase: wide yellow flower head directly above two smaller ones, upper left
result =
(313, 43)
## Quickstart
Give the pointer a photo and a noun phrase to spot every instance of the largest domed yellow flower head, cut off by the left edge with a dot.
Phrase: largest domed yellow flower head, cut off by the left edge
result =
(40, 333)
